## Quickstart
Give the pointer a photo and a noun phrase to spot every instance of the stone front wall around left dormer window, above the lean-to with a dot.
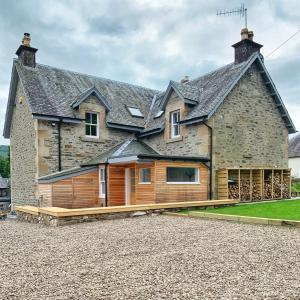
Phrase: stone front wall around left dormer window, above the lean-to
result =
(75, 147)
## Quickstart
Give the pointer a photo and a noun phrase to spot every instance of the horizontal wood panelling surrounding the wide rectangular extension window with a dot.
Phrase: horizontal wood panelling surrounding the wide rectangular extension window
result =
(166, 193)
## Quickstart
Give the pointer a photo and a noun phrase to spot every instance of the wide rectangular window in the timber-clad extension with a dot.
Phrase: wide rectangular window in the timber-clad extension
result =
(182, 175)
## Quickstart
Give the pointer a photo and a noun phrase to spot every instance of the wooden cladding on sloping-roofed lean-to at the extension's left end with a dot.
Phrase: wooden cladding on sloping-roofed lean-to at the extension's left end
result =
(77, 192)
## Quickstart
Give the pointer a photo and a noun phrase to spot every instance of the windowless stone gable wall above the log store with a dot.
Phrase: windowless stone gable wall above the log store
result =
(248, 128)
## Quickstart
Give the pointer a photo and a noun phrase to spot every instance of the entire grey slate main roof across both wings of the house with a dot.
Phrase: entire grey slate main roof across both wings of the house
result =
(57, 92)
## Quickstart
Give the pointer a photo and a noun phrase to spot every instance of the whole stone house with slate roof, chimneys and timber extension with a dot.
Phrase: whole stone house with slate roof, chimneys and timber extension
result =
(81, 141)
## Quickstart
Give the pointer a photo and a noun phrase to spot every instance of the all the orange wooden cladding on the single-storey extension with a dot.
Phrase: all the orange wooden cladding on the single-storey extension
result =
(83, 190)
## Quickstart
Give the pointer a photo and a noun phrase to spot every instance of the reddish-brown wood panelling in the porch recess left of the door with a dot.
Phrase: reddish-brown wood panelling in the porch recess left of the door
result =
(116, 185)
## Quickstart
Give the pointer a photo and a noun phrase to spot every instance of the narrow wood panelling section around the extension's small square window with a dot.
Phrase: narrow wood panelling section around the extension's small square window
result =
(145, 193)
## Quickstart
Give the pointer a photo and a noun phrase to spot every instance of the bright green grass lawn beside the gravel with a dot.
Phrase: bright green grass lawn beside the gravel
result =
(284, 209)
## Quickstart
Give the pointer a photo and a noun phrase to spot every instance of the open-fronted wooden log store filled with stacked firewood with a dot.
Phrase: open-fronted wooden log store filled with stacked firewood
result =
(254, 184)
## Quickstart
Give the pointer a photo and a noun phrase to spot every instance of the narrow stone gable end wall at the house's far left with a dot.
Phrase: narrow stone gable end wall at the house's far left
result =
(23, 142)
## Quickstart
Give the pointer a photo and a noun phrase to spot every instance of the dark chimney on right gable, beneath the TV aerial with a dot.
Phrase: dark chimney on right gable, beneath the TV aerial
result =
(245, 47)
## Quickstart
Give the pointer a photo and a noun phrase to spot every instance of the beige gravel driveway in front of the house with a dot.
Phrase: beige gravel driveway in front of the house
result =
(158, 257)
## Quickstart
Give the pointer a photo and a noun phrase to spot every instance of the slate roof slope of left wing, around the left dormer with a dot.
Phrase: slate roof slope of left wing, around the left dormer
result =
(52, 91)
